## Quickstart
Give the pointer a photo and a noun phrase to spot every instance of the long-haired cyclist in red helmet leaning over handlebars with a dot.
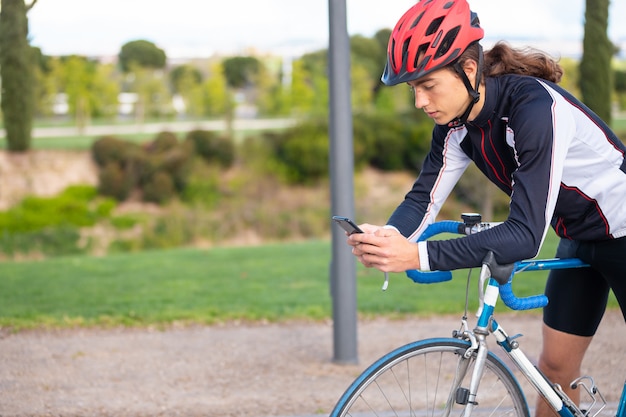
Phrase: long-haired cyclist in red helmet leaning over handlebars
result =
(560, 164)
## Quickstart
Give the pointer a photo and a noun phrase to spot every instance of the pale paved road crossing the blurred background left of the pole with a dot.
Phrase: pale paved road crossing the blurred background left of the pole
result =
(149, 128)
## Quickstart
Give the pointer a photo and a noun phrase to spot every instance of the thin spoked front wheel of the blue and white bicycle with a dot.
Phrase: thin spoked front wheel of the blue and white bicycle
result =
(416, 380)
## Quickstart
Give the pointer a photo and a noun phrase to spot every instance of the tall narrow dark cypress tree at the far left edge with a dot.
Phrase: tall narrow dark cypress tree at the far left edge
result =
(17, 74)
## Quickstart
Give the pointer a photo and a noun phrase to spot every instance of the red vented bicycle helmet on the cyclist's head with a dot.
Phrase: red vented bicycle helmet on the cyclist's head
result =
(429, 36)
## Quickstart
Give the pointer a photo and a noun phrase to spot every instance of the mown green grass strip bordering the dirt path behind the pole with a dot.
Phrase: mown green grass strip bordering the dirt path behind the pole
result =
(271, 282)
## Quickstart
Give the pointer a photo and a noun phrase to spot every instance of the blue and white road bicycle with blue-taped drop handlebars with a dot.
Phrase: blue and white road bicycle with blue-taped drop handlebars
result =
(460, 376)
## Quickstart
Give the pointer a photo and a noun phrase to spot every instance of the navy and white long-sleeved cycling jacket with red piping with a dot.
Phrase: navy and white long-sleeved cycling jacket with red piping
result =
(559, 163)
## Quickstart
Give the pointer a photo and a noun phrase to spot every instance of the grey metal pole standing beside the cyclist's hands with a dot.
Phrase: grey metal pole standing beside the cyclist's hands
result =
(343, 267)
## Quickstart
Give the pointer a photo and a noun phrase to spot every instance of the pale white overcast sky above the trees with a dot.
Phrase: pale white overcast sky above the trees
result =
(202, 28)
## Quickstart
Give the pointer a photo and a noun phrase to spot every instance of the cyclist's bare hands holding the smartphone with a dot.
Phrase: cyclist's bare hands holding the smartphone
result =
(384, 249)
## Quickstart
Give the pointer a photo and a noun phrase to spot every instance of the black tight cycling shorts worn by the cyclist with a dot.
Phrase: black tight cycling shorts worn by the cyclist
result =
(577, 297)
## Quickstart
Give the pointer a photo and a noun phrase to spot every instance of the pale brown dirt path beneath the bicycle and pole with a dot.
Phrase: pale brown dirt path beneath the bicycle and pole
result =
(255, 370)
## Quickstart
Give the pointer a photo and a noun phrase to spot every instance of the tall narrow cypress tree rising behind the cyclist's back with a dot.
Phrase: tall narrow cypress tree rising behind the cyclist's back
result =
(595, 65)
